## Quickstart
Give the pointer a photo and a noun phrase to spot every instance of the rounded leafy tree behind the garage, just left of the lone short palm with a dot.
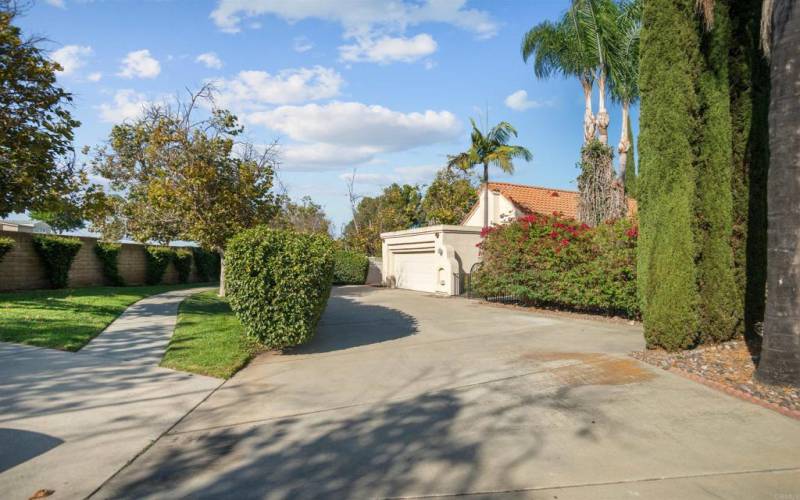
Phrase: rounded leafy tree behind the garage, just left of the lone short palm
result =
(449, 198)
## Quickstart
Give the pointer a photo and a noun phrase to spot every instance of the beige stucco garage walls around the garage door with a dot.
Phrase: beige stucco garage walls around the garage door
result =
(452, 250)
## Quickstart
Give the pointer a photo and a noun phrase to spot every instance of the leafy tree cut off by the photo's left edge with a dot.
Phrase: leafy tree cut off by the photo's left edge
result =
(36, 127)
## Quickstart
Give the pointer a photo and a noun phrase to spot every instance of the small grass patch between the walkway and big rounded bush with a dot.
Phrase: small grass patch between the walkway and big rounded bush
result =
(208, 340)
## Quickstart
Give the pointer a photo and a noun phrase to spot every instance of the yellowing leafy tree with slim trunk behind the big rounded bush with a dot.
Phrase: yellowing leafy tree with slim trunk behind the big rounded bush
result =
(187, 176)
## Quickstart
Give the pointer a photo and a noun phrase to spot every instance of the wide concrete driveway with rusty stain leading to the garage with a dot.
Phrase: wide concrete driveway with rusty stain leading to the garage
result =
(407, 395)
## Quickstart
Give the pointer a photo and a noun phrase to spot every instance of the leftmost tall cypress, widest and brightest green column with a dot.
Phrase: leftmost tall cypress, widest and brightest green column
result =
(667, 272)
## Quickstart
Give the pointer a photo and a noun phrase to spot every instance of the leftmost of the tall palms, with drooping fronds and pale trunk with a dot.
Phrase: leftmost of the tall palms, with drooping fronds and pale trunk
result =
(559, 48)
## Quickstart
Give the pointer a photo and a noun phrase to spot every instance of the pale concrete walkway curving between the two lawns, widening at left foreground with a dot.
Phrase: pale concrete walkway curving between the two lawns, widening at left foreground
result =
(69, 421)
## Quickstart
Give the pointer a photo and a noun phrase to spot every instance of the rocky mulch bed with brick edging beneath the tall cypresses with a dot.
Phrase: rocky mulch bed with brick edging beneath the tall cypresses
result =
(728, 367)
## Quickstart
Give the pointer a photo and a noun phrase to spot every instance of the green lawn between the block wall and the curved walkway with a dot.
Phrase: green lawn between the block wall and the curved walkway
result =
(67, 319)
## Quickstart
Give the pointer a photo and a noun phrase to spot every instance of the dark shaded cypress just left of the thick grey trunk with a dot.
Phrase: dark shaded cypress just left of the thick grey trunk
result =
(749, 93)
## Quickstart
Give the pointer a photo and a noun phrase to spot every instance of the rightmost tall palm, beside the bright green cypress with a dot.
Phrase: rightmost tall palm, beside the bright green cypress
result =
(624, 72)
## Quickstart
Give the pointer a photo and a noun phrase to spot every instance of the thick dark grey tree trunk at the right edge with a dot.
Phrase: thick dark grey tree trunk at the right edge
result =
(780, 352)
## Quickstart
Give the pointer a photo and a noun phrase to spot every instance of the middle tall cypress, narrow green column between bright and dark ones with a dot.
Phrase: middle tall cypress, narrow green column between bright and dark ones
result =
(713, 202)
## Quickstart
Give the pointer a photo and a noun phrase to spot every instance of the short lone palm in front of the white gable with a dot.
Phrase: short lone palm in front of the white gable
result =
(487, 149)
